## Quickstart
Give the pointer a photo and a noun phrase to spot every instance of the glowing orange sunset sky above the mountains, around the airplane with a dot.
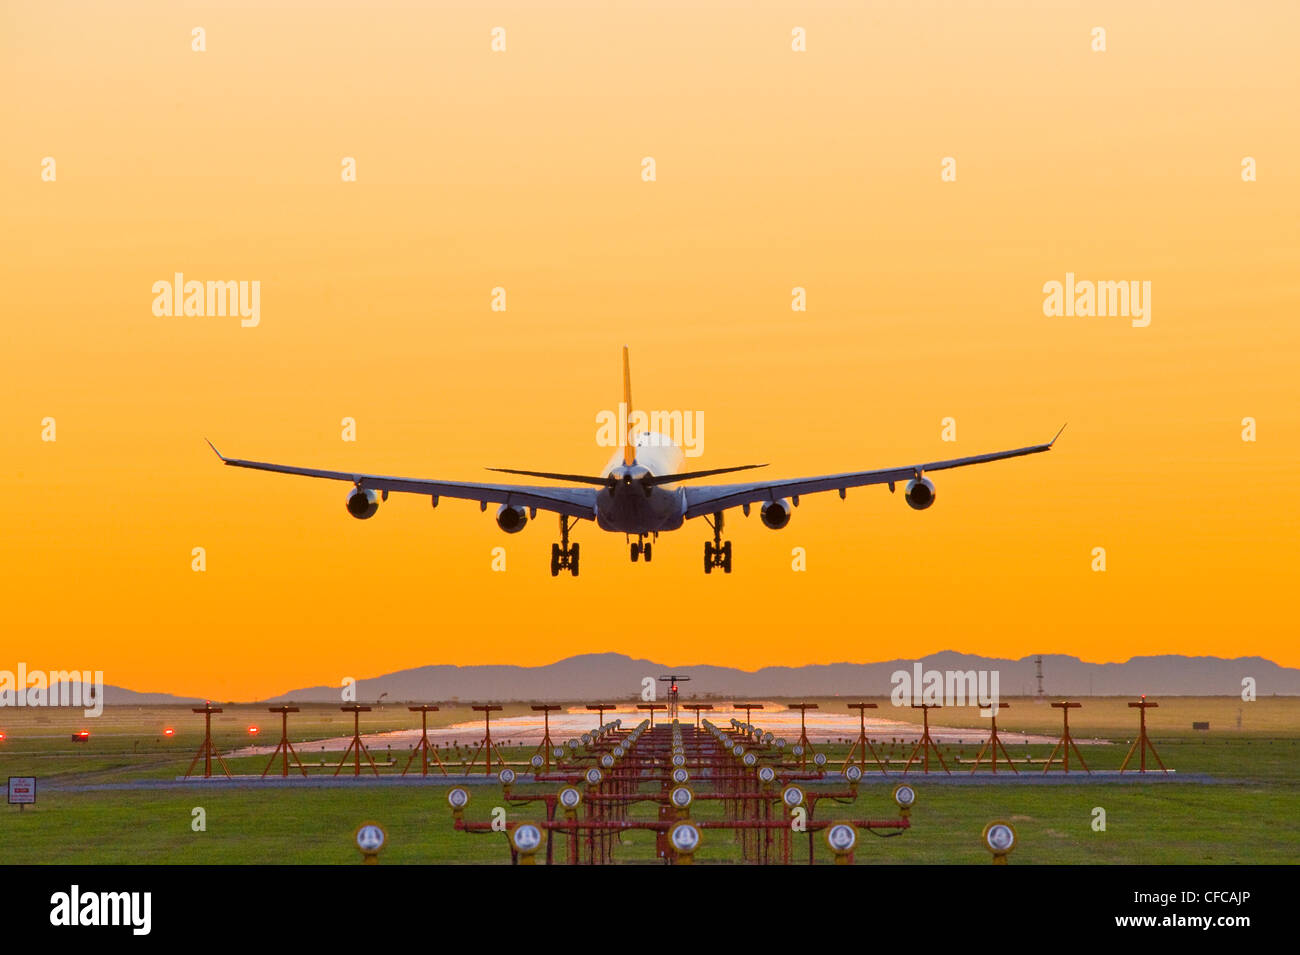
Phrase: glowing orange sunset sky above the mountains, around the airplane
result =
(523, 171)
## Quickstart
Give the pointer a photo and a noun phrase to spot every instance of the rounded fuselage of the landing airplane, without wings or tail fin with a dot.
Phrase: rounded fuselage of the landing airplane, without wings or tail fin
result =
(626, 507)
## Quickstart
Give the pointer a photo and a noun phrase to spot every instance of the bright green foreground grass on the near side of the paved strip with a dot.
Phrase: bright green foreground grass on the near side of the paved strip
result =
(1146, 824)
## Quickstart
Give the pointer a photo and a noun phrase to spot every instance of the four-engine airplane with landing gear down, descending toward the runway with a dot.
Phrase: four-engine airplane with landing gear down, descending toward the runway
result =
(643, 492)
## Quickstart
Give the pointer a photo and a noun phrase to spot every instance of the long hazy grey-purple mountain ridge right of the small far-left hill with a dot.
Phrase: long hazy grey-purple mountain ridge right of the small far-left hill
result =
(619, 678)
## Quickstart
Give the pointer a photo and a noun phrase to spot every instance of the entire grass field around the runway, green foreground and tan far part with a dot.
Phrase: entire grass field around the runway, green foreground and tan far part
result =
(1251, 813)
